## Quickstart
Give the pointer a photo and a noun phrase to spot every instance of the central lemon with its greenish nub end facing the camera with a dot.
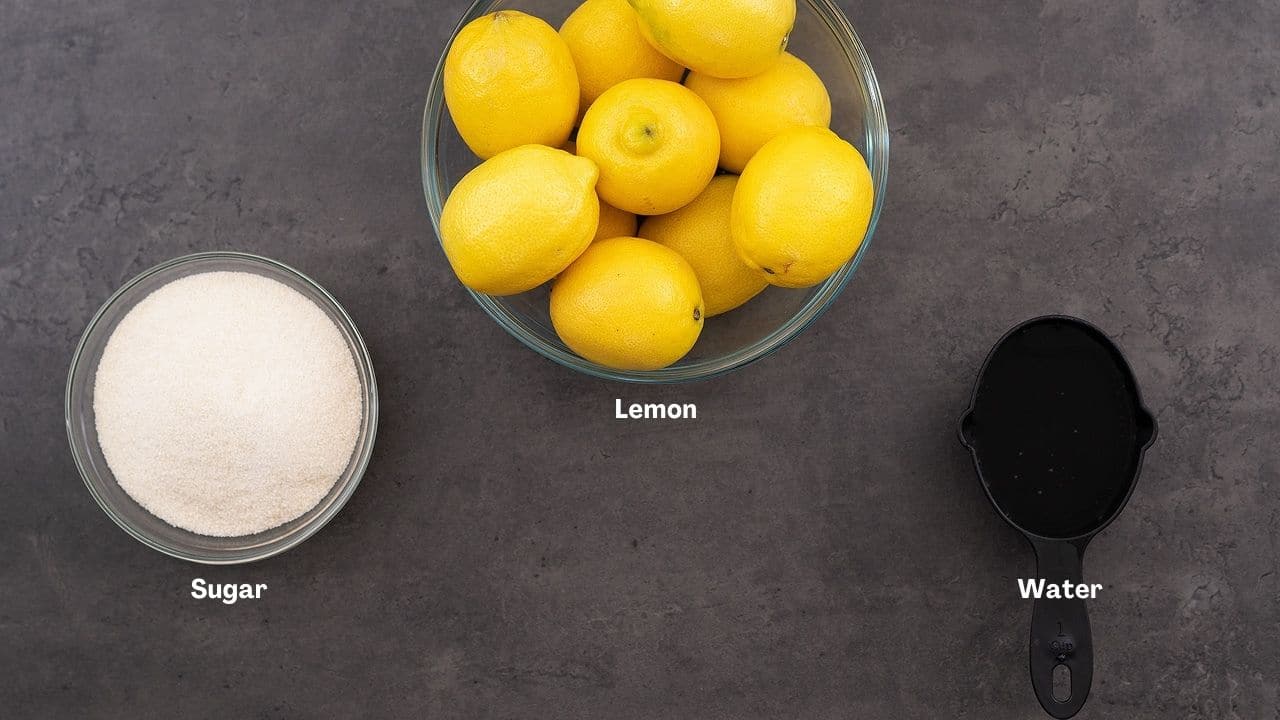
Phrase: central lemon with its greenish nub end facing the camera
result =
(655, 142)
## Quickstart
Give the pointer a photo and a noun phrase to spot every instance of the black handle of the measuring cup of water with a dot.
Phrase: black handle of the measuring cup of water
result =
(1060, 634)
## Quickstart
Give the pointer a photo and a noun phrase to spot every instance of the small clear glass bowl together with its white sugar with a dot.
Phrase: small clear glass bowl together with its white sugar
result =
(222, 408)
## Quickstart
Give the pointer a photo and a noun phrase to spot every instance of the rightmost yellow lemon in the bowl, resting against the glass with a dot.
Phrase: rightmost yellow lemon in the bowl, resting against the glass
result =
(802, 207)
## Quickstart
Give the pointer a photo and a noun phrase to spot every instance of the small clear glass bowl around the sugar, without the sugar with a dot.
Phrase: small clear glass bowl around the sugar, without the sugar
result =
(125, 511)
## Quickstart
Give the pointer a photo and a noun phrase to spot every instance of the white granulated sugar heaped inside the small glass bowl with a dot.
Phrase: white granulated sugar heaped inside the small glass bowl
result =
(227, 404)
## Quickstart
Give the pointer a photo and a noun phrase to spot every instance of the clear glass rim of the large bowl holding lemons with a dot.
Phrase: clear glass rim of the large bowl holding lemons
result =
(876, 130)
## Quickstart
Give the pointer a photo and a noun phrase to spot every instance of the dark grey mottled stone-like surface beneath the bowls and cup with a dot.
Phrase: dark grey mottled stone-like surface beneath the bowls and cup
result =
(816, 545)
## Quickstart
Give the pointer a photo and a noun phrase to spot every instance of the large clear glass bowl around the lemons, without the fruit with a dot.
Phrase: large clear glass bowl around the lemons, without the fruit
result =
(822, 38)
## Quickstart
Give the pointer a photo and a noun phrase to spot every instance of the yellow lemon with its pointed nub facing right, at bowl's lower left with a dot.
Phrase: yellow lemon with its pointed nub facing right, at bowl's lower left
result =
(520, 218)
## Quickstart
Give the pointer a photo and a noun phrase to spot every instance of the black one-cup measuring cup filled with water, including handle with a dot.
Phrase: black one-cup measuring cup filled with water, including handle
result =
(1058, 432)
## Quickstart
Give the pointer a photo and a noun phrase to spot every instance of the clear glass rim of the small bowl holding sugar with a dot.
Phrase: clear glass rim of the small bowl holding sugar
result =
(362, 457)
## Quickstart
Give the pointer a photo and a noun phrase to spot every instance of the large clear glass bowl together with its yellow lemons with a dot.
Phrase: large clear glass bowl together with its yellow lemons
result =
(655, 190)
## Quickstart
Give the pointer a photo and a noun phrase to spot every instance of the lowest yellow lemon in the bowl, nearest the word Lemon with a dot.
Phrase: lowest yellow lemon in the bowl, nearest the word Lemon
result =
(629, 304)
